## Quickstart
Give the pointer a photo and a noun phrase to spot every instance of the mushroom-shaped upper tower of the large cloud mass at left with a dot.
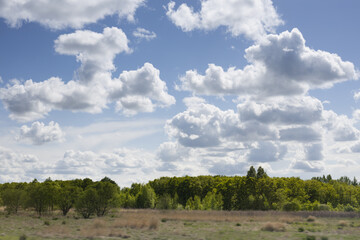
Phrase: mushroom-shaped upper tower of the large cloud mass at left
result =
(95, 51)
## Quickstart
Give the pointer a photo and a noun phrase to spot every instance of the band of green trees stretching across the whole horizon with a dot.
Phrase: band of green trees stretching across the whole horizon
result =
(255, 191)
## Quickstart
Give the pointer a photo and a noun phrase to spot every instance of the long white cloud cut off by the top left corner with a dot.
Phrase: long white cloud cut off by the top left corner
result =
(62, 14)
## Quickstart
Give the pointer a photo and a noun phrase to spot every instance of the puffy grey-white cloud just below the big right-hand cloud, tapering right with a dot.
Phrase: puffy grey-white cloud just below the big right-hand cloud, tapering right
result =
(204, 125)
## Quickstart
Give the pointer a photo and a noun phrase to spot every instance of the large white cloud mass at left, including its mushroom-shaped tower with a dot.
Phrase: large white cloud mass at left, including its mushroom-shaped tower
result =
(139, 90)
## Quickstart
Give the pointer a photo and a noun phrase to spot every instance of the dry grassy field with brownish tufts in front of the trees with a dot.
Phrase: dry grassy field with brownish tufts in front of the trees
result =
(157, 224)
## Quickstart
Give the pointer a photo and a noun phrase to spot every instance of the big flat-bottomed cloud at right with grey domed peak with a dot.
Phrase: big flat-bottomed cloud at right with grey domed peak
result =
(281, 65)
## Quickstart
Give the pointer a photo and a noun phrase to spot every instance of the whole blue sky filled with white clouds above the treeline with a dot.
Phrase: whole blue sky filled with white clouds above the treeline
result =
(135, 89)
